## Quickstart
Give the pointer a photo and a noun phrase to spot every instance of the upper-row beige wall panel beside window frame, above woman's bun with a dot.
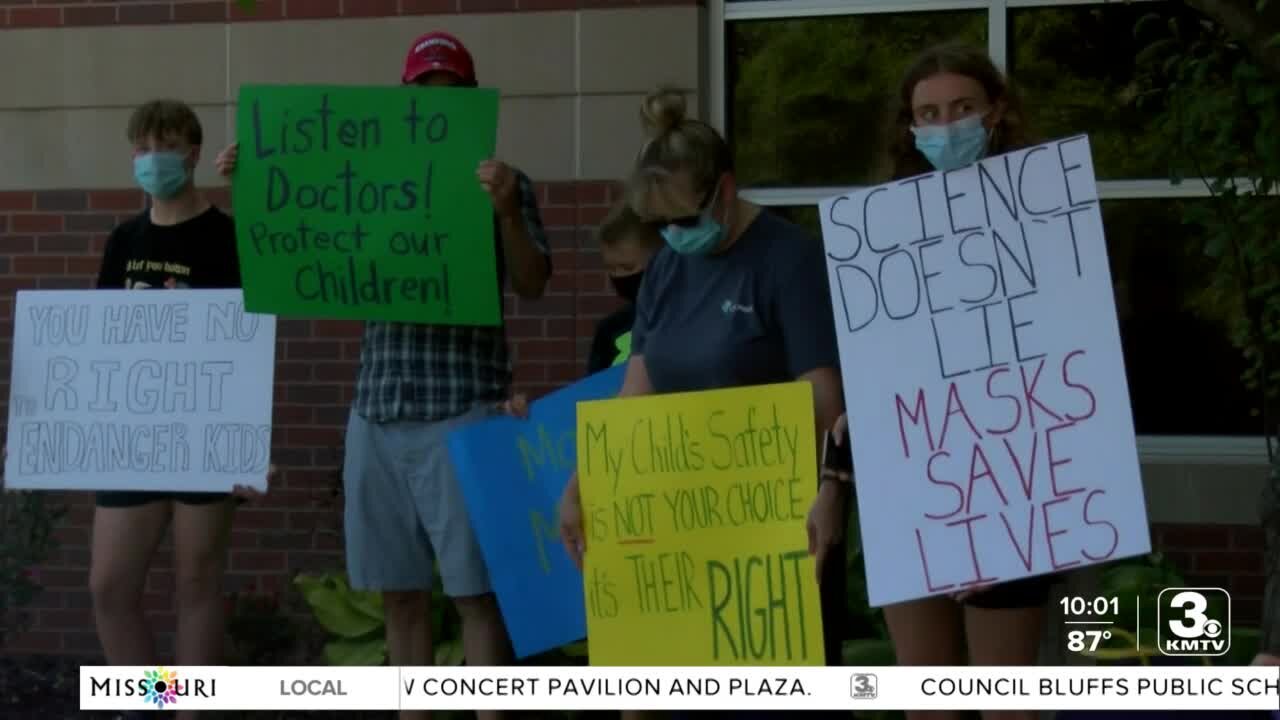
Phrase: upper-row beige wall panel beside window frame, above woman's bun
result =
(634, 51)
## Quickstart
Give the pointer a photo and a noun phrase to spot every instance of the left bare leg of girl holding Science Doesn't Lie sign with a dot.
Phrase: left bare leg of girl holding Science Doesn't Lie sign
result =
(927, 632)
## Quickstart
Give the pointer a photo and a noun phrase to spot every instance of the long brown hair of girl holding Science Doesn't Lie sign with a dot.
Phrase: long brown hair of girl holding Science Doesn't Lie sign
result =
(904, 160)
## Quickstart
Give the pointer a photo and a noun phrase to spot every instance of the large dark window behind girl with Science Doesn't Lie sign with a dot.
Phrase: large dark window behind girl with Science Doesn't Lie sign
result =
(804, 89)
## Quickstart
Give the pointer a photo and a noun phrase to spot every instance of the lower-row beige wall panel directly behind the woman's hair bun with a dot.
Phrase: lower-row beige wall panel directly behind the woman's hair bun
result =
(612, 134)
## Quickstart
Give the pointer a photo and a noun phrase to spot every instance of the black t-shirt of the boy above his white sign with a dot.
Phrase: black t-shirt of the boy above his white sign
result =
(198, 254)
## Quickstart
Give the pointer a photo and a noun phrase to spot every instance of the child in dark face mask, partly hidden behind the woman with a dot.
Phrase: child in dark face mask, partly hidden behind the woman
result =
(627, 247)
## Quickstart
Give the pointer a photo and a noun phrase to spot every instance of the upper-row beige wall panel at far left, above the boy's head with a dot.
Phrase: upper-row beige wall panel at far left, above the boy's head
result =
(112, 66)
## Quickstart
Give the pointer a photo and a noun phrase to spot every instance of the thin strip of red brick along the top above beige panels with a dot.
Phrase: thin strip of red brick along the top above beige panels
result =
(80, 13)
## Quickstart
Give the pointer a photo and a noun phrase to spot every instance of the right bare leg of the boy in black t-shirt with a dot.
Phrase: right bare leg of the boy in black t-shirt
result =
(202, 535)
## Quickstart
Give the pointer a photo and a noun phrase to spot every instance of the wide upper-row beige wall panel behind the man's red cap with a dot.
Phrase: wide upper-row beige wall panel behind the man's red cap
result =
(519, 53)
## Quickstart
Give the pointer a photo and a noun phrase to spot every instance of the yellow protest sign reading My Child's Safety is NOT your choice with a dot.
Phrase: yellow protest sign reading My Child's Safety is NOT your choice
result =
(694, 509)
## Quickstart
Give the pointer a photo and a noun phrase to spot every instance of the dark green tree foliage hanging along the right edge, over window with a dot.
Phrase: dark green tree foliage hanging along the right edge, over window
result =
(1218, 115)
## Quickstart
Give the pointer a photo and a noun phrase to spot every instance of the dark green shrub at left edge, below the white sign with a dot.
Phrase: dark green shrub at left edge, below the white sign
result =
(28, 523)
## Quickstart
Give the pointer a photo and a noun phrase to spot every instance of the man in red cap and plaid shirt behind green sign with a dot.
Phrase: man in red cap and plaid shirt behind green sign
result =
(415, 385)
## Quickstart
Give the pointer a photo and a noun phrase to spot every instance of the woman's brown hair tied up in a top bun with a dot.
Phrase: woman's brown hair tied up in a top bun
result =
(676, 144)
